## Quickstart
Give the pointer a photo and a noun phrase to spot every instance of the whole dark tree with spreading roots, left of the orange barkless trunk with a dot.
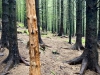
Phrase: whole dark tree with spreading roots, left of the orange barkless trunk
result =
(14, 57)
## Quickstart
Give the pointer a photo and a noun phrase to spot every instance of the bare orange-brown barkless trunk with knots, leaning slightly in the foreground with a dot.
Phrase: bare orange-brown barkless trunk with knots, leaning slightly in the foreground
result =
(33, 38)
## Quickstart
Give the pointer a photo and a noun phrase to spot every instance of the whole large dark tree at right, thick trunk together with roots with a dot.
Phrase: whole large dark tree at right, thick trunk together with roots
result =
(89, 57)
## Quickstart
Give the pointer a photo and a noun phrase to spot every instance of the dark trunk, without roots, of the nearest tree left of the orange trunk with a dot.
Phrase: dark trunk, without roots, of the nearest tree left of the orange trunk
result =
(13, 44)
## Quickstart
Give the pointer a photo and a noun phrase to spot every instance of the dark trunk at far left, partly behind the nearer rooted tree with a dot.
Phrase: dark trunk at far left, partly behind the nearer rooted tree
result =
(5, 23)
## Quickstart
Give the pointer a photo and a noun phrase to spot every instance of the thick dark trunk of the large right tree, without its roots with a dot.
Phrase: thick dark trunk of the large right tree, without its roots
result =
(91, 34)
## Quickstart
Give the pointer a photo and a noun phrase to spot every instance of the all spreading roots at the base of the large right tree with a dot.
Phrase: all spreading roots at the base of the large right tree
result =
(84, 65)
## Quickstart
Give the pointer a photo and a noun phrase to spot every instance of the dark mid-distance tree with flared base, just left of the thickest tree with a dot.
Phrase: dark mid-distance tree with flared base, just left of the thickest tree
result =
(78, 44)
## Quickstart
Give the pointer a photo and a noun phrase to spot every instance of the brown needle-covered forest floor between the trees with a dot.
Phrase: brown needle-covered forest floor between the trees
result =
(52, 59)
